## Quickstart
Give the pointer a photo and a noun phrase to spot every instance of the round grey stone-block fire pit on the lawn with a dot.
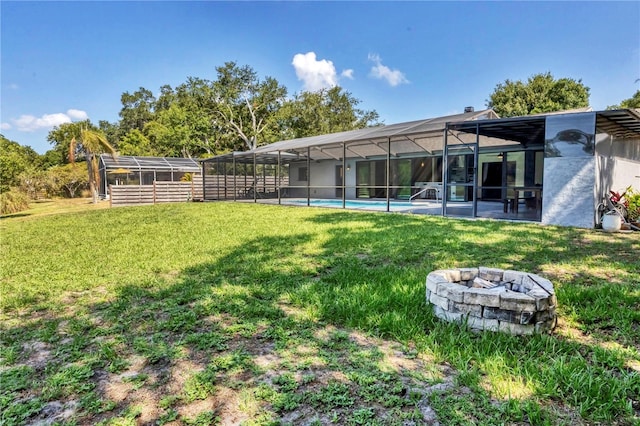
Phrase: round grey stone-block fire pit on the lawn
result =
(493, 299)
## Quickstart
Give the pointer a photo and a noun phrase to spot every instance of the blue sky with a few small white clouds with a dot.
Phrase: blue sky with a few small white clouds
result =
(66, 61)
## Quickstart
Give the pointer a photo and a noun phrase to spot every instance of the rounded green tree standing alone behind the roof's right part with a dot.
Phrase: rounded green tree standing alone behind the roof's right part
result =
(541, 93)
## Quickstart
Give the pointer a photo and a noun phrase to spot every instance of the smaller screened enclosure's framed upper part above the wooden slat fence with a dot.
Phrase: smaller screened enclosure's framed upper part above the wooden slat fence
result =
(133, 170)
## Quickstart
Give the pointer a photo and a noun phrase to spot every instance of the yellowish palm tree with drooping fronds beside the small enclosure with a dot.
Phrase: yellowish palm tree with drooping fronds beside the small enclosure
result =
(91, 142)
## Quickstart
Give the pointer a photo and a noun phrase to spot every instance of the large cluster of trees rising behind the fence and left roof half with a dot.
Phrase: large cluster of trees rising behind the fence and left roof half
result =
(236, 111)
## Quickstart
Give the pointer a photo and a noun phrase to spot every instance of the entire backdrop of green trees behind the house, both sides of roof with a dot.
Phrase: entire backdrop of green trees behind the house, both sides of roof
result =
(236, 111)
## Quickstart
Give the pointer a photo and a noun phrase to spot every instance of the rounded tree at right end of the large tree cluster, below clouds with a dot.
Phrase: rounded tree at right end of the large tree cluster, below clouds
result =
(325, 111)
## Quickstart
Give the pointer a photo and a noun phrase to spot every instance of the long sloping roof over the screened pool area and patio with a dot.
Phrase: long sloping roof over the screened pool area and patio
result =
(426, 136)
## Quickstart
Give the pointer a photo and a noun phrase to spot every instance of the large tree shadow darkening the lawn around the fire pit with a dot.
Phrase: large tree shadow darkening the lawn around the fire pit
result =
(266, 333)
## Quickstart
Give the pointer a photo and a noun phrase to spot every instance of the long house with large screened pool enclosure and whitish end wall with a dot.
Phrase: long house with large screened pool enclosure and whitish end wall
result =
(471, 165)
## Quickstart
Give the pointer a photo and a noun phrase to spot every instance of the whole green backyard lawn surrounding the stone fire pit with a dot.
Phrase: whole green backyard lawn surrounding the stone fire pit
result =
(220, 312)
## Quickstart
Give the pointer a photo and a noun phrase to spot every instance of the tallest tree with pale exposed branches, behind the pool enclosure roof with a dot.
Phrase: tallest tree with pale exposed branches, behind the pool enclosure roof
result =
(246, 104)
